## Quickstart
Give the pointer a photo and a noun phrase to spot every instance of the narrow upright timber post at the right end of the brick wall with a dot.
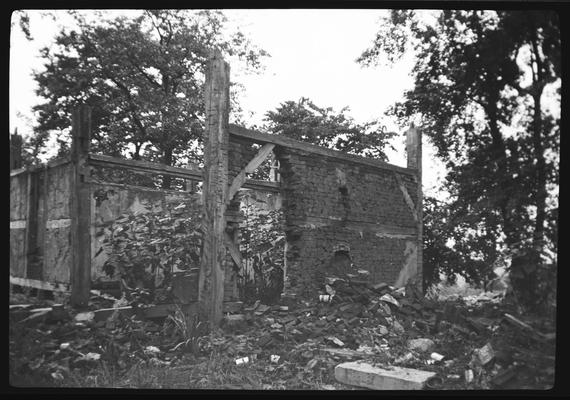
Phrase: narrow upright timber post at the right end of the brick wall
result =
(414, 156)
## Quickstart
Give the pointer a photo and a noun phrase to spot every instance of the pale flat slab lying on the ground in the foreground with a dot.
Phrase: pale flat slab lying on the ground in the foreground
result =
(365, 375)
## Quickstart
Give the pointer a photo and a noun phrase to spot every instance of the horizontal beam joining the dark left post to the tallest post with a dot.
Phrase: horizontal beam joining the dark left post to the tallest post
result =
(146, 166)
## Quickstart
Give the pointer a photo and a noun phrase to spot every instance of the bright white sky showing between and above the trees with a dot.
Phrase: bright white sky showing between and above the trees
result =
(313, 55)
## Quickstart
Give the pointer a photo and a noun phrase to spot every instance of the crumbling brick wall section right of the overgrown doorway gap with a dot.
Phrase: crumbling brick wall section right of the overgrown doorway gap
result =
(336, 205)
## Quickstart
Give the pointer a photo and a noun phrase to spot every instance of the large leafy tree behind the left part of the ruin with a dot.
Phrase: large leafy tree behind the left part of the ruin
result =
(143, 77)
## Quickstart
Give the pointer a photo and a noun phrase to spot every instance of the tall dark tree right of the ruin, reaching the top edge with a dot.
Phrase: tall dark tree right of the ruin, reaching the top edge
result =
(470, 100)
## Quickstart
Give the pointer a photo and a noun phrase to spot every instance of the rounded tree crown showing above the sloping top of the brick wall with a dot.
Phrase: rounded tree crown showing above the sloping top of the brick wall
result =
(303, 120)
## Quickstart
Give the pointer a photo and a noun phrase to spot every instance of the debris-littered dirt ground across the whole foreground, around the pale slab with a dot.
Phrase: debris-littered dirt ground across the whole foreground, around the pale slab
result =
(474, 343)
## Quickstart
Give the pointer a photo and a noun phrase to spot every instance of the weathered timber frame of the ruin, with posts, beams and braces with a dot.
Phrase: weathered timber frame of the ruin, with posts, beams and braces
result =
(220, 243)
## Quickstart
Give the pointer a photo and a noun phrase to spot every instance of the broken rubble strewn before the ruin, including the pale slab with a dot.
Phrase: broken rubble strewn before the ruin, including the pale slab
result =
(351, 332)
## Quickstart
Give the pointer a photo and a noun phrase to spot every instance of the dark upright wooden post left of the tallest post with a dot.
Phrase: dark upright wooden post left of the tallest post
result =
(80, 207)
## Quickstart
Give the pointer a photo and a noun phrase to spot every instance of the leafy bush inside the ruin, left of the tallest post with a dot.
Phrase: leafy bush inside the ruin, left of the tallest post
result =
(145, 249)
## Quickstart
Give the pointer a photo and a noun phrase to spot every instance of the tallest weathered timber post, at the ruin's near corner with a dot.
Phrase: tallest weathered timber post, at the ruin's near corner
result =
(214, 191)
